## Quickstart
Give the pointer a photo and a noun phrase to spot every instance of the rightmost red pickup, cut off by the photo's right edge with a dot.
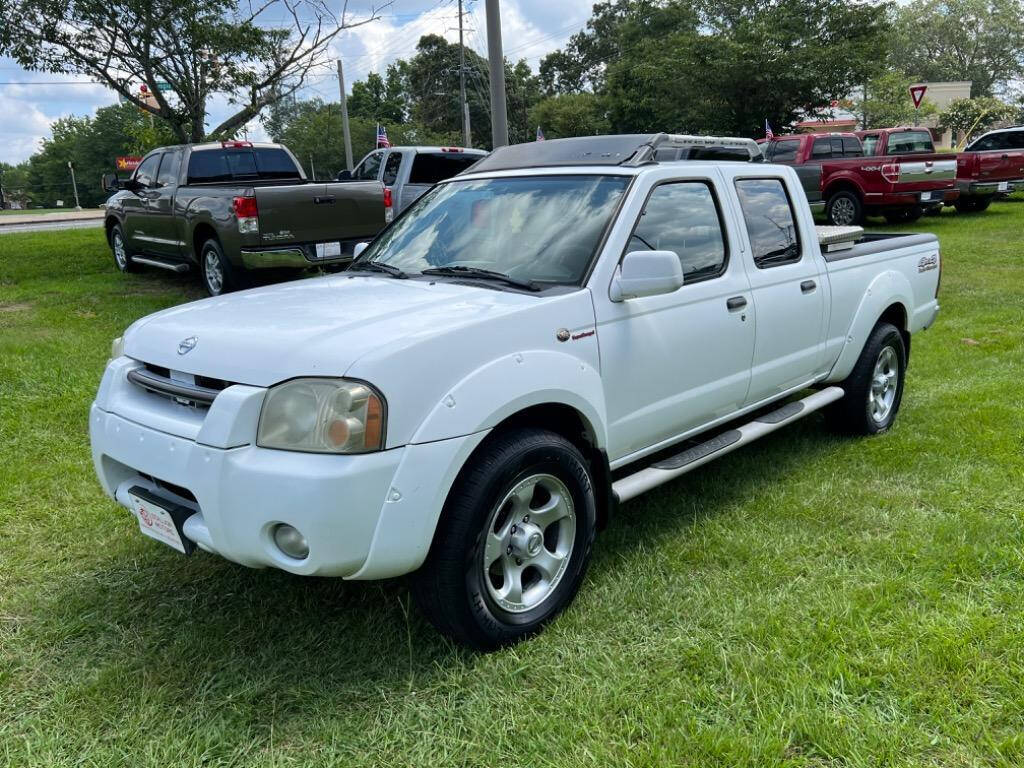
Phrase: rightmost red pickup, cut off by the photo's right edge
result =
(992, 165)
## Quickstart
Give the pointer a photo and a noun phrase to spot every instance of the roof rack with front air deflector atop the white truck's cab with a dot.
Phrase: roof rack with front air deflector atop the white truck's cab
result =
(629, 150)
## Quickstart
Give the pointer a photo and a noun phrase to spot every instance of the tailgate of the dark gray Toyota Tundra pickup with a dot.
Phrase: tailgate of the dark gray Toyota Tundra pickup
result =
(318, 214)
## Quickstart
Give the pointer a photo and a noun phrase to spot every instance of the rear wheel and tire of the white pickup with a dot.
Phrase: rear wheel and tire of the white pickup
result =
(870, 407)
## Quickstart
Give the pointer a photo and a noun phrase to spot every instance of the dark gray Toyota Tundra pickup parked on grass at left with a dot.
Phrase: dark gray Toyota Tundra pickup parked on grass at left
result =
(230, 207)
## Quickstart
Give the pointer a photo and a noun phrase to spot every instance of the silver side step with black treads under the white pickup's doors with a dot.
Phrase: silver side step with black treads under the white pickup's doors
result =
(726, 443)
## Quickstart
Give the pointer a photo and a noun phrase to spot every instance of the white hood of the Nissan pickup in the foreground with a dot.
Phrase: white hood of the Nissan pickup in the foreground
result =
(315, 327)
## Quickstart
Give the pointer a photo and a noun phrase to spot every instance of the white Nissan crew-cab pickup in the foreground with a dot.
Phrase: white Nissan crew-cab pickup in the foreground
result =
(569, 325)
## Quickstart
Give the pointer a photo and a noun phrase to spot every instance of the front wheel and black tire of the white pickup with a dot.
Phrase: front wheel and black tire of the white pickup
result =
(525, 498)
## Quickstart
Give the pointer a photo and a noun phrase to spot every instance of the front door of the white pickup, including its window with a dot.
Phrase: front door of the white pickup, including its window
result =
(681, 360)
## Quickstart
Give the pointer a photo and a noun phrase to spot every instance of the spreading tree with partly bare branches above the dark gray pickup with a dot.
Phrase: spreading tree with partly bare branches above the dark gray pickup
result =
(198, 49)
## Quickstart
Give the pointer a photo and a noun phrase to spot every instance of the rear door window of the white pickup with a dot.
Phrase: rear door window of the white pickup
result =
(771, 223)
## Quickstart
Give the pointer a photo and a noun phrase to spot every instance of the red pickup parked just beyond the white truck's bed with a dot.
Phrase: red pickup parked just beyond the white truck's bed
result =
(836, 172)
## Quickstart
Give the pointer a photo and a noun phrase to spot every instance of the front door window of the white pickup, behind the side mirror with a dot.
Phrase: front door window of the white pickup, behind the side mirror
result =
(684, 218)
